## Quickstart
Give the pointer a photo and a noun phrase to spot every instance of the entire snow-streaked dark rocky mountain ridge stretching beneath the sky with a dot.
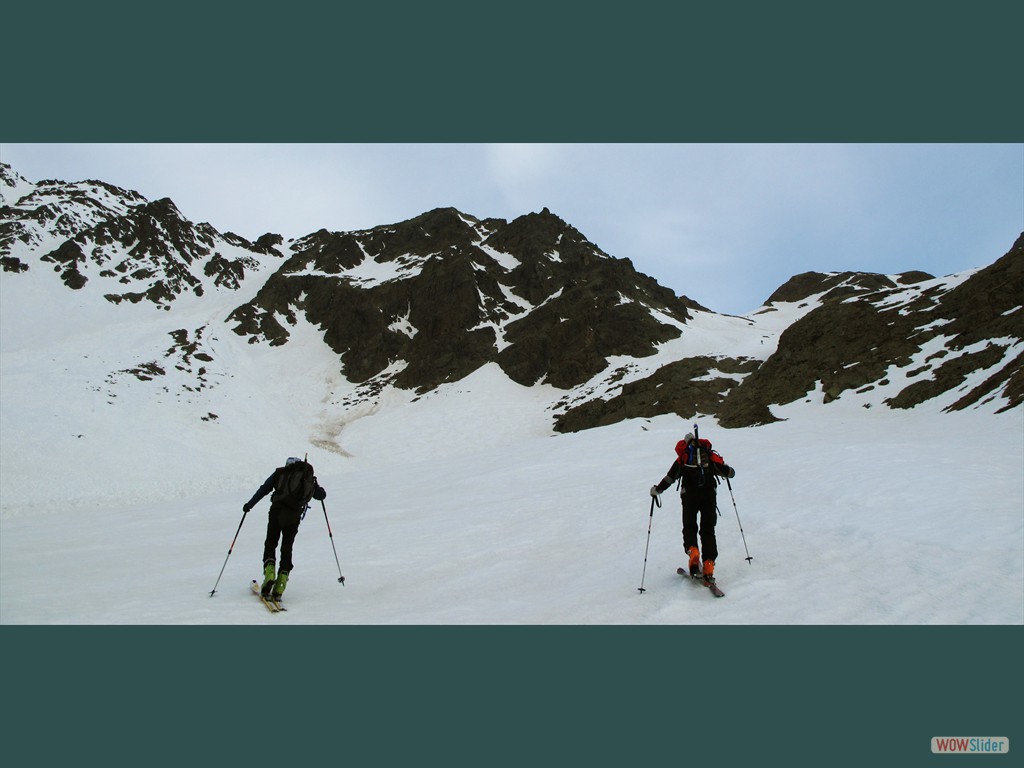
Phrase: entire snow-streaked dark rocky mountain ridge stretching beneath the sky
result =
(423, 304)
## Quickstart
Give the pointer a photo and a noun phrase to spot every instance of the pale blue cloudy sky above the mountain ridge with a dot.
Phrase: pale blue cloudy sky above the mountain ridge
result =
(726, 225)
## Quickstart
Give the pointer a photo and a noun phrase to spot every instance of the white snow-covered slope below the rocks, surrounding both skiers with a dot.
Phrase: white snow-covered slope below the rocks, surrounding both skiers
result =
(132, 437)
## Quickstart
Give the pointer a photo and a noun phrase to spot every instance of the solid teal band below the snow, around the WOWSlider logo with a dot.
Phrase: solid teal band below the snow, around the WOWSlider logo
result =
(505, 696)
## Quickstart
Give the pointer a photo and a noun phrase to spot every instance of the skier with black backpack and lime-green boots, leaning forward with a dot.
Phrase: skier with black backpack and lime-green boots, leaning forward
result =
(293, 487)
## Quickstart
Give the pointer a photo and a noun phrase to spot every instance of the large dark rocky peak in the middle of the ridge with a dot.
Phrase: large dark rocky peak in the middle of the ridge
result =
(532, 295)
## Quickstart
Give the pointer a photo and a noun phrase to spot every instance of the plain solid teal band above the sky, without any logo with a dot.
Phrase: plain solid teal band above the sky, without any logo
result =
(537, 72)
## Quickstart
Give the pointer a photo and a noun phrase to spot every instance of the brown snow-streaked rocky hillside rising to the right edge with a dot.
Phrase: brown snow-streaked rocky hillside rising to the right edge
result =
(855, 340)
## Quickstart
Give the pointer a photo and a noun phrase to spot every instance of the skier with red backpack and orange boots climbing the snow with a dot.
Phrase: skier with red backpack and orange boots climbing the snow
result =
(699, 470)
